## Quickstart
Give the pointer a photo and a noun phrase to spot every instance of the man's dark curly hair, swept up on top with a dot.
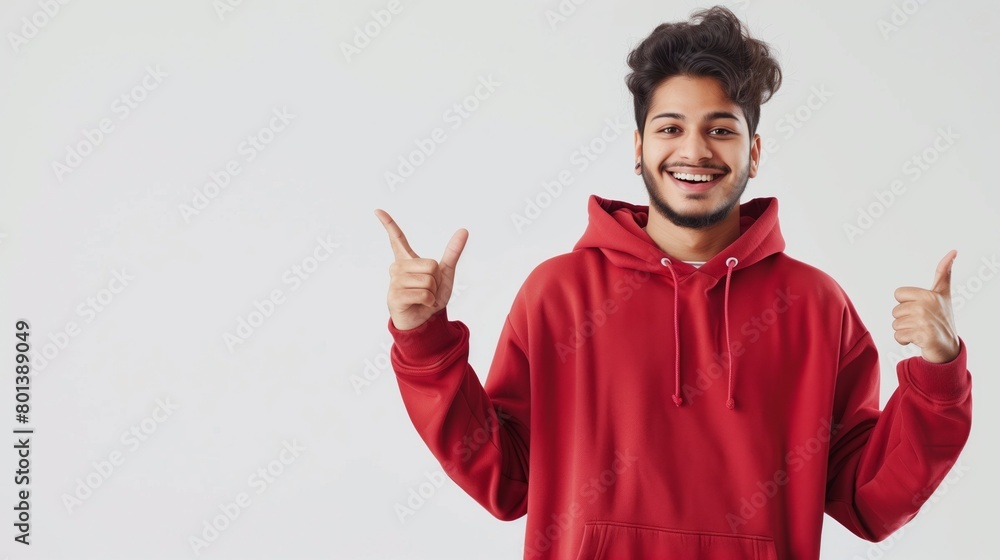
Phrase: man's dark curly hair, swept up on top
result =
(715, 43)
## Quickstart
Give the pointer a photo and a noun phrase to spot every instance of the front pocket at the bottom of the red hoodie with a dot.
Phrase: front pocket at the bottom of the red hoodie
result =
(606, 540)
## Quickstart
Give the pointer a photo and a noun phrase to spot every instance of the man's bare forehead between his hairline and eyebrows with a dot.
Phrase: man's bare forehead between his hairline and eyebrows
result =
(692, 96)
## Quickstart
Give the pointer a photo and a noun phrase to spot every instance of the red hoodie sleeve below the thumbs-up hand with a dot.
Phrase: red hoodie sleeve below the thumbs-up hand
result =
(884, 465)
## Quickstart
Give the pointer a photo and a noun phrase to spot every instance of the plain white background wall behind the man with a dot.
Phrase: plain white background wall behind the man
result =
(301, 375)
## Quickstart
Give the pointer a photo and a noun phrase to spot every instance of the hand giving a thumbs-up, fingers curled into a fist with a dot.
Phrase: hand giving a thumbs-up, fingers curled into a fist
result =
(925, 318)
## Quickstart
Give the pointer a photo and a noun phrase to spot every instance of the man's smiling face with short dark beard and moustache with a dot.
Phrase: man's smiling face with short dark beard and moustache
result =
(693, 128)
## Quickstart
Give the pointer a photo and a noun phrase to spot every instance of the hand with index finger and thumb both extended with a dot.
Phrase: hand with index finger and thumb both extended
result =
(418, 288)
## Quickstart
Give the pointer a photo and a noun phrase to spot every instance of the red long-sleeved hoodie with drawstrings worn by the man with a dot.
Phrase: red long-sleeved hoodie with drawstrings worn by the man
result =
(666, 411)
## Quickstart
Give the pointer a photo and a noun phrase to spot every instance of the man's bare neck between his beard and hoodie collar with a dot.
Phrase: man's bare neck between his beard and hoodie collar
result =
(689, 244)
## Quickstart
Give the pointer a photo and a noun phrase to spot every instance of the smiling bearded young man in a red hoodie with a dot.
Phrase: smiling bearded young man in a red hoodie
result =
(676, 386)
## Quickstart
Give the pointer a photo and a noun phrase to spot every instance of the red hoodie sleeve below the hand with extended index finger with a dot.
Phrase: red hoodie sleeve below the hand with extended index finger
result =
(478, 434)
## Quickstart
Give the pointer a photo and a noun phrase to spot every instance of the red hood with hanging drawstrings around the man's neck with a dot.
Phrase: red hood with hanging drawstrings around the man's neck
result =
(615, 228)
